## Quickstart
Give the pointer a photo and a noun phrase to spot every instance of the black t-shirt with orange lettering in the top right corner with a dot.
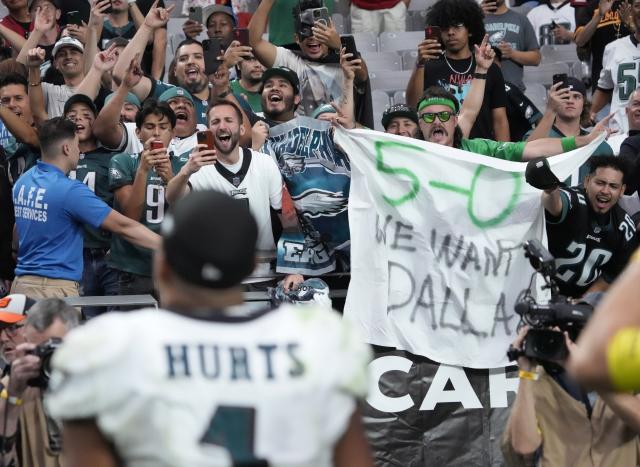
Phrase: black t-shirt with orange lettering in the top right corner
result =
(609, 29)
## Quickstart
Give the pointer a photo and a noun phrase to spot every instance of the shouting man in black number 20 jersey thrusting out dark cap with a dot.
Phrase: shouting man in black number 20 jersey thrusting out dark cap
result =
(590, 235)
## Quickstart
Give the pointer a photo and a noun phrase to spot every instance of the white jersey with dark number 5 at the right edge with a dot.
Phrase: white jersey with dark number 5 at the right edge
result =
(620, 73)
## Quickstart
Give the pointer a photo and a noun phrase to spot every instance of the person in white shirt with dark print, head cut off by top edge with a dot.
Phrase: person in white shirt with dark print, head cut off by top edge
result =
(553, 22)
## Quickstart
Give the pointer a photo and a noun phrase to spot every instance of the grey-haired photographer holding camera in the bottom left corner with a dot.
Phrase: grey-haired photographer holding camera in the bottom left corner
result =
(28, 437)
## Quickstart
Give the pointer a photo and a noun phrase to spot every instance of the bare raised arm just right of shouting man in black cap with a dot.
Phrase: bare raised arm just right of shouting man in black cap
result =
(107, 127)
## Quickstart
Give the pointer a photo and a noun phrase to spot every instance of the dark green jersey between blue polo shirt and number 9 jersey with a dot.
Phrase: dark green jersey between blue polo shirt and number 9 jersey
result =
(93, 171)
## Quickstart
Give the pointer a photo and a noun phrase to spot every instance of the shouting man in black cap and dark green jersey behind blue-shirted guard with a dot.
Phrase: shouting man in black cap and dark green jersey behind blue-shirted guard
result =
(93, 170)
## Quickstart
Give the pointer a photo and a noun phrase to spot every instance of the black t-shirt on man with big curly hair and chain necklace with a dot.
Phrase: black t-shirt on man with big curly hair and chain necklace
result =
(439, 73)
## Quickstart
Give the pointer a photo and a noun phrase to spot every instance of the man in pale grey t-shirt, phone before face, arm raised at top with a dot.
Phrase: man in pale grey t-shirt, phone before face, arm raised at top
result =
(319, 70)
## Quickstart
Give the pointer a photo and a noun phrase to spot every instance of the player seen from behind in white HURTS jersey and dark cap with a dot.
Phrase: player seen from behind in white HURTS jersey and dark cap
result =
(206, 381)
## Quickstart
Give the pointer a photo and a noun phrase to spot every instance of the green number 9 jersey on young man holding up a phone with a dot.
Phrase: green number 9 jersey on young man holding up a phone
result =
(124, 255)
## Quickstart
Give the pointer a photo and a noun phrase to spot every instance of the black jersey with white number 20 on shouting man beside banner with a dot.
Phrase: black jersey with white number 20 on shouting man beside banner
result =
(585, 248)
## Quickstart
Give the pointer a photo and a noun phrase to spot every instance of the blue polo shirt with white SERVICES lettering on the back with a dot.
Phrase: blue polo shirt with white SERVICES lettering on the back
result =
(50, 212)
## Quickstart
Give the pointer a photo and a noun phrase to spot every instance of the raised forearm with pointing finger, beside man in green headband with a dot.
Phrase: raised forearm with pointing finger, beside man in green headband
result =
(473, 102)
